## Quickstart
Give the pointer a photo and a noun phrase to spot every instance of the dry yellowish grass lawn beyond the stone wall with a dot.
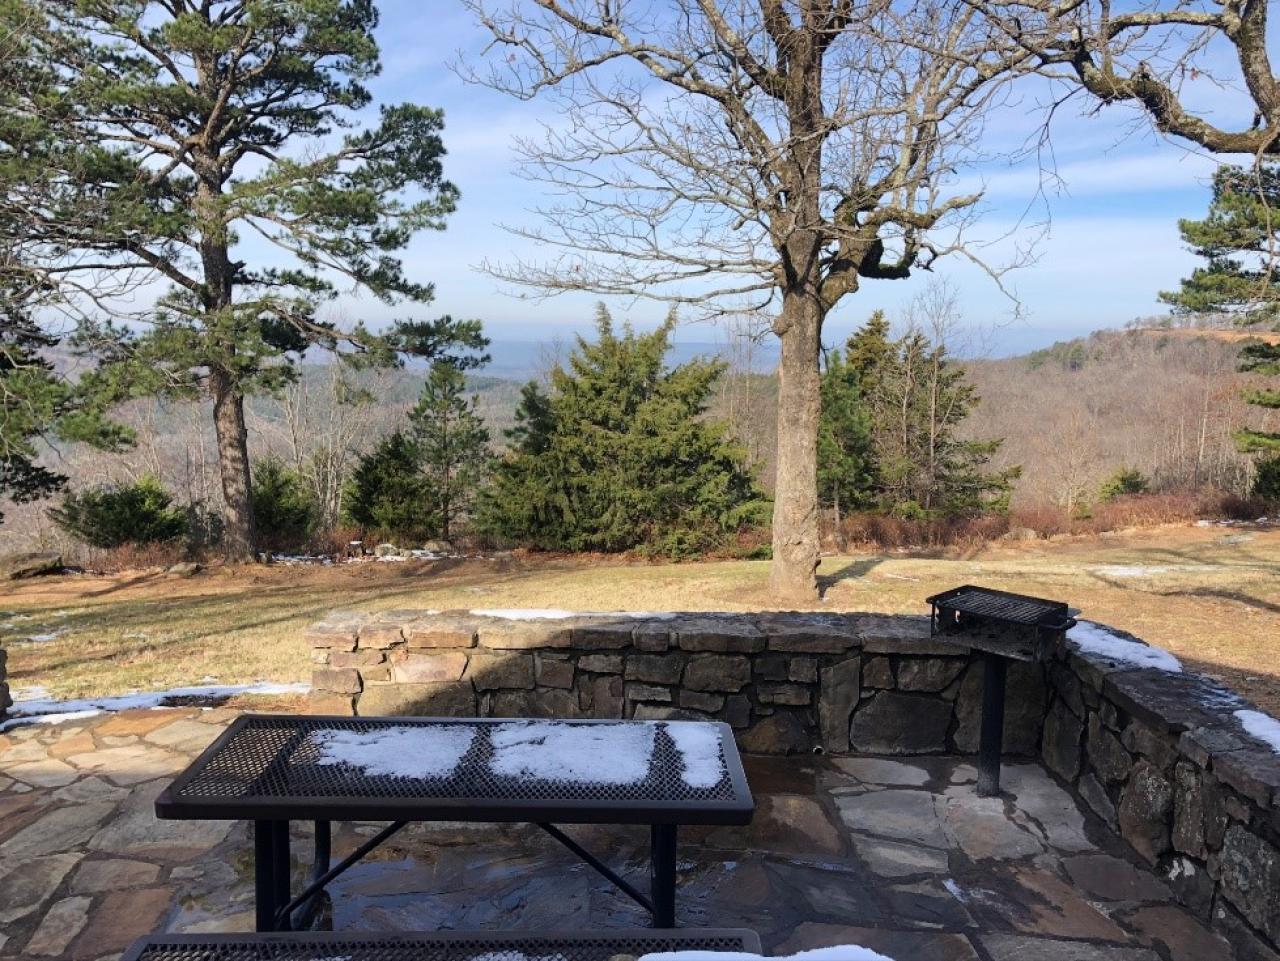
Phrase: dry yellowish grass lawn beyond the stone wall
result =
(1212, 596)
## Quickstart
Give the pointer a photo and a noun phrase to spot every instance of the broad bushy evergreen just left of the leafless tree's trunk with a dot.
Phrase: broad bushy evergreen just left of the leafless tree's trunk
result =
(618, 456)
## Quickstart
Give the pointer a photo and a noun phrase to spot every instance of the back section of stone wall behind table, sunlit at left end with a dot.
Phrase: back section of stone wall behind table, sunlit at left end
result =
(788, 683)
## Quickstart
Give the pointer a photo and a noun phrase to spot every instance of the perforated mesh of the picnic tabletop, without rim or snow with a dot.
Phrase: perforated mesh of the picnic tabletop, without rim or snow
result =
(271, 759)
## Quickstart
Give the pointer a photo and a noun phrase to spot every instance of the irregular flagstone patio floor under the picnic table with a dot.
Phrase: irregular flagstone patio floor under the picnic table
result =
(898, 855)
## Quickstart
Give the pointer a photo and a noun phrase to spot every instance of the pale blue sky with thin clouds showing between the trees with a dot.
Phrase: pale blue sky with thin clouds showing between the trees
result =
(1110, 246)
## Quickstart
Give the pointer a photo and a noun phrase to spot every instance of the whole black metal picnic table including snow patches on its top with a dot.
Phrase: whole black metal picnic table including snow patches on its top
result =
(277, 768)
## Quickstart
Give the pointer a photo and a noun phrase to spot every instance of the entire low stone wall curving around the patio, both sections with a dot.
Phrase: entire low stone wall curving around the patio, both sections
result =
(1159, 756)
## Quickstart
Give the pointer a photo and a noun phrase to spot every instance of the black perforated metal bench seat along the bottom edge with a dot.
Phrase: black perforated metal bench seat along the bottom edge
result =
(601, 946)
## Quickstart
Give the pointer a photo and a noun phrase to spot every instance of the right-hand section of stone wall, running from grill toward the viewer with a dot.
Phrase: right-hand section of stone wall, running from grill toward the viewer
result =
(1164, 761)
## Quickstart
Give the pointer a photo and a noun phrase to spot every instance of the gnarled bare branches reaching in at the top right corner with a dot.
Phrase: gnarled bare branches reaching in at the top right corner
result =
(1180, 61)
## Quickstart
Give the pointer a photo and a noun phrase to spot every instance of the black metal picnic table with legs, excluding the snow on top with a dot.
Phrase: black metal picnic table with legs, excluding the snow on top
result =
(268, 768)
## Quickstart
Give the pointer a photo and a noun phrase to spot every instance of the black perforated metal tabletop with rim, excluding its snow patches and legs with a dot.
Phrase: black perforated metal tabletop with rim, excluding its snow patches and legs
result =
(268, 767)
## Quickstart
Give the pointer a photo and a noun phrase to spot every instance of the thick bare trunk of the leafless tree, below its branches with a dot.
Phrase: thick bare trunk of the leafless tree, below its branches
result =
(796, 506)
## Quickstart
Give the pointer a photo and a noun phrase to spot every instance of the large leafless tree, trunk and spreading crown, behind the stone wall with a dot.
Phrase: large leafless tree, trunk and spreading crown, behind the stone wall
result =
(752, 153)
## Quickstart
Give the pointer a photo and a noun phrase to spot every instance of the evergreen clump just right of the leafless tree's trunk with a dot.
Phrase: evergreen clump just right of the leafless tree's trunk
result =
(897, 408)
